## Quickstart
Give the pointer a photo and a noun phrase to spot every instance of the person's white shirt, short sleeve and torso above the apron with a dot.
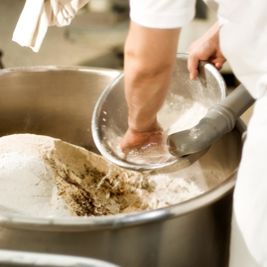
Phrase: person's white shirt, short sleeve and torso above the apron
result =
(242, 31)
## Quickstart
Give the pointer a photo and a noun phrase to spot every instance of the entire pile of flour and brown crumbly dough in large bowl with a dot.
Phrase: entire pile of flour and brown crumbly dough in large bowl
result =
(44, 176)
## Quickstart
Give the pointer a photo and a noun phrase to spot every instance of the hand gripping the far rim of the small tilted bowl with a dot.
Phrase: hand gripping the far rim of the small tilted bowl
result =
(205, 48)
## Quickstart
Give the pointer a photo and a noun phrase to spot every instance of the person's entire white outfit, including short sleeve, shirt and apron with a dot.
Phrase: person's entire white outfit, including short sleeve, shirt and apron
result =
(243, 38)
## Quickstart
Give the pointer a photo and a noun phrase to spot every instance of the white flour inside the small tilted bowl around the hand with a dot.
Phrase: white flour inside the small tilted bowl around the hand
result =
(177, 114)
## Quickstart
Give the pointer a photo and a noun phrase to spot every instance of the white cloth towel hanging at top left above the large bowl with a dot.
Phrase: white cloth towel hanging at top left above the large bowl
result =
(38, 15)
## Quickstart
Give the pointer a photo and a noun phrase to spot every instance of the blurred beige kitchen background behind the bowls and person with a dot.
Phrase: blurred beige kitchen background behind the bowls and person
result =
(95, 37)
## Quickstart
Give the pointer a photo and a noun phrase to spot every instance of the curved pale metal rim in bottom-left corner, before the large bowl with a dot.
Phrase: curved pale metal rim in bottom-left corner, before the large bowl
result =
(29, 259)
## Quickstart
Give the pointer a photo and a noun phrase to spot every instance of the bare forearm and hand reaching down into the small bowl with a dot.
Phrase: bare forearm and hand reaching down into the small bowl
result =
(149, 60)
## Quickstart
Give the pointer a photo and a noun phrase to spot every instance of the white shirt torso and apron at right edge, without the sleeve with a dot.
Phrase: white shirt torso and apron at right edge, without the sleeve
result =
(244, 43)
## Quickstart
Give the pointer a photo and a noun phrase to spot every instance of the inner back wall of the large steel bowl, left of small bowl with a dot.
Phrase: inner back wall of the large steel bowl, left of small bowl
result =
(52, 101)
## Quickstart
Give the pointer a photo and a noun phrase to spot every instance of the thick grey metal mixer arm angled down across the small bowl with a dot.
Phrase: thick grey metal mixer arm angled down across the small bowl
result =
(220, 119)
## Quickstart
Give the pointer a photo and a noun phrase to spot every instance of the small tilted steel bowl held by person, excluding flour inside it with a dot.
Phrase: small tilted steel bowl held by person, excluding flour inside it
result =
(111, 110)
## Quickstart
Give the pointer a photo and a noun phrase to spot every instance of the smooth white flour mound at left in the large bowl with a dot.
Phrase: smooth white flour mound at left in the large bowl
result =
(26, 183)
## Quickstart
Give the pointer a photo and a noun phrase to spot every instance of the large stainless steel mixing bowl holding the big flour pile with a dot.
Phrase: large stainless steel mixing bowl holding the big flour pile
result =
(59, 102)
